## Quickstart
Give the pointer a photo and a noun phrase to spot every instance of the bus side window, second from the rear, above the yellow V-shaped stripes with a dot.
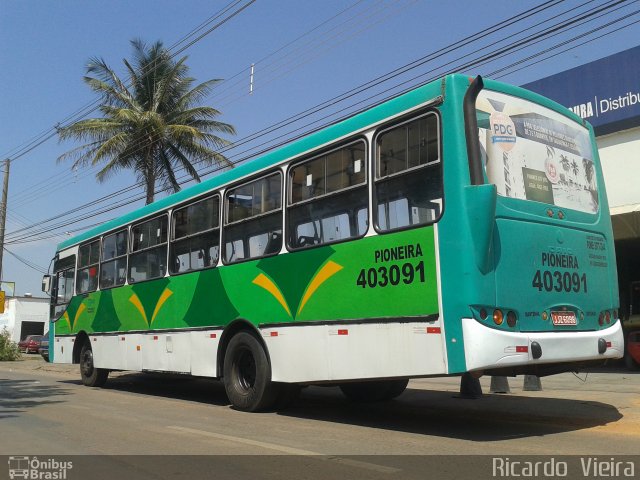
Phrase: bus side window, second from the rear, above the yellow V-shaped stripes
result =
(328, 198)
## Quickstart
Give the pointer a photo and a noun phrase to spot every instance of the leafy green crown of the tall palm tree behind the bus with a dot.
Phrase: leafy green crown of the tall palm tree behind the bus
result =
(151, 123)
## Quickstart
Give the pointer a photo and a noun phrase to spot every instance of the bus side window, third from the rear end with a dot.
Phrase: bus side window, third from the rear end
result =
(253, 227)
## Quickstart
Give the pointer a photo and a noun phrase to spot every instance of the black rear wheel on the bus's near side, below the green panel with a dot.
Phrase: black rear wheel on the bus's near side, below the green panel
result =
(247, 374)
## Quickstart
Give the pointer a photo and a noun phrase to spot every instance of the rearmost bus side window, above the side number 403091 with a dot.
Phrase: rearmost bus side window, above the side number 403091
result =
(408, 187)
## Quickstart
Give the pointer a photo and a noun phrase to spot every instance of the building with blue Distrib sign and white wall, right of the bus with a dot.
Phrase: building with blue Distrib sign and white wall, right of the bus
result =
(606, 93)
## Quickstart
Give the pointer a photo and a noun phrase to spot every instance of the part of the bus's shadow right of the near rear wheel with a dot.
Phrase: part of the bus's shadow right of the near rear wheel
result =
(442, 413)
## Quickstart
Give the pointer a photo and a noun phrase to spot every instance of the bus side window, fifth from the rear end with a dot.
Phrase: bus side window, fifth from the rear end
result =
(148, 250)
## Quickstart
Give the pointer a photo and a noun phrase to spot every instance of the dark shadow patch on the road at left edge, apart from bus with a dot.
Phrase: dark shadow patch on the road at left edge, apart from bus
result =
(19, 395)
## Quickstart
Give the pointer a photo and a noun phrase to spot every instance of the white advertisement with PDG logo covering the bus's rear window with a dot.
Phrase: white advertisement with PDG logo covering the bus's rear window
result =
(533, 153)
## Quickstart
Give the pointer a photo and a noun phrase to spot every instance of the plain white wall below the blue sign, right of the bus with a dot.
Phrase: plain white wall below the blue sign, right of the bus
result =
(620, 157)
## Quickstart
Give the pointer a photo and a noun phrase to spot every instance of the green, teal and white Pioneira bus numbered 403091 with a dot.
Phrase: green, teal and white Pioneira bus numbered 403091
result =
(461, 227)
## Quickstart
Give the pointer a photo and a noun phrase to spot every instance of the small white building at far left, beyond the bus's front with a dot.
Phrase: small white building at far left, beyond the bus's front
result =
(25, 316)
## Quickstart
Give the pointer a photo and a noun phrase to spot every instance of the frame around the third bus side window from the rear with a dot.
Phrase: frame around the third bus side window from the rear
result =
(225, 214)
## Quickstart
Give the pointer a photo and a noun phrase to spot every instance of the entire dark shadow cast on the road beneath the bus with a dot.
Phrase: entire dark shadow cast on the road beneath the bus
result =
(418, 411)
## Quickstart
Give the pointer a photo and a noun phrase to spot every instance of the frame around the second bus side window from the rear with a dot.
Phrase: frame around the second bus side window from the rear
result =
(364, 185)
